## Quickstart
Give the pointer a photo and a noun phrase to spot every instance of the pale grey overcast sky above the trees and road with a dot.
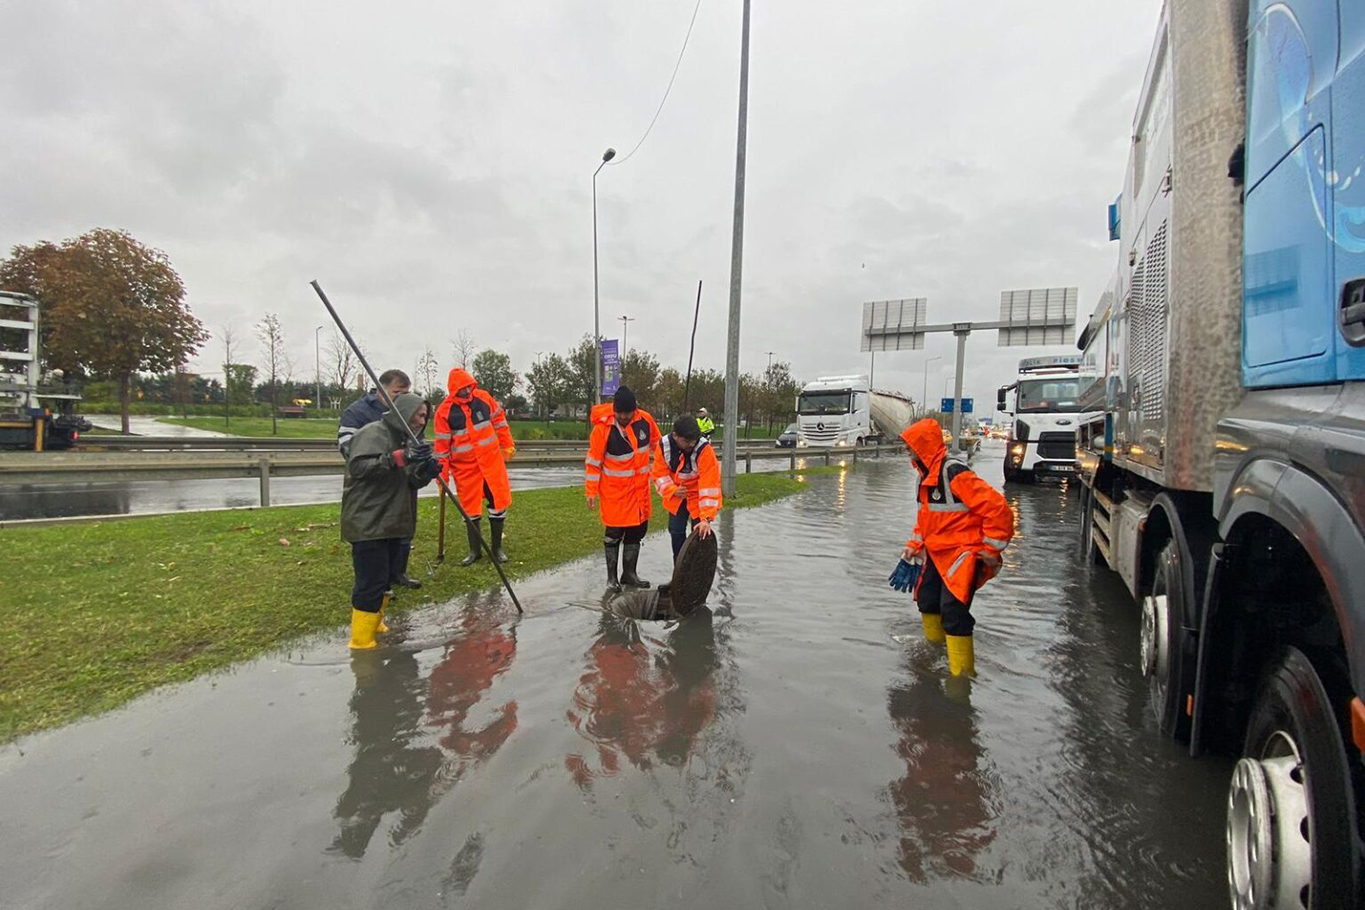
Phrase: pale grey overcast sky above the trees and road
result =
(431, 164)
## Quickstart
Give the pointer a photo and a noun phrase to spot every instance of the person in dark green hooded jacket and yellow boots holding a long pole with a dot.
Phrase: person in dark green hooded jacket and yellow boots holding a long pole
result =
(384, 470)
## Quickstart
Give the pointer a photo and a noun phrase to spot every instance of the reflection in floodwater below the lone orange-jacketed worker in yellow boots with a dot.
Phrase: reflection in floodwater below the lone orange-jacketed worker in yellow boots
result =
(943, 804)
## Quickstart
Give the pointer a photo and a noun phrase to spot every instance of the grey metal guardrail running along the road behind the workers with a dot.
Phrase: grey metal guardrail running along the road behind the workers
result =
(92, 467)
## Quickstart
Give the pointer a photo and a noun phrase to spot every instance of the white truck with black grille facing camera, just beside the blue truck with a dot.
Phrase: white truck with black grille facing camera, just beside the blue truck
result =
(1048, 411)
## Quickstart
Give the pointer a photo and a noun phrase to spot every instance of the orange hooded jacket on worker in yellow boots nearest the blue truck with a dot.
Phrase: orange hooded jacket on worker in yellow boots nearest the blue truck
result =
(960, 515)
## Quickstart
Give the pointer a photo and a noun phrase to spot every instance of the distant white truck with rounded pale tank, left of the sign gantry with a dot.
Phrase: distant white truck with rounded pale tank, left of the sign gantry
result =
(846, 411)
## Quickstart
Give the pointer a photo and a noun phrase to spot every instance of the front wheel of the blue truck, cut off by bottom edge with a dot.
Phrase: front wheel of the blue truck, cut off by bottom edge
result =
(1291, 808)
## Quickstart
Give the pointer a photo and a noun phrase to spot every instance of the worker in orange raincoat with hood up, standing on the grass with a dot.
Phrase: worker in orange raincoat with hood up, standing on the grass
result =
(474, 443)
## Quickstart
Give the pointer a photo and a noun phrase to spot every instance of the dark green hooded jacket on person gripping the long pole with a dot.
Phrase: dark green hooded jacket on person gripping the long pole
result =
(379, 499)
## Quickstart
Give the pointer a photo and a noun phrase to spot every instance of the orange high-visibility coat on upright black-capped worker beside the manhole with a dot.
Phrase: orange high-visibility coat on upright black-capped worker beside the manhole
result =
(618, 469)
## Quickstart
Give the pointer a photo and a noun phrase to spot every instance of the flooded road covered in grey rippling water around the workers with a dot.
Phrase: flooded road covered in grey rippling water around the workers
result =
(783, 751)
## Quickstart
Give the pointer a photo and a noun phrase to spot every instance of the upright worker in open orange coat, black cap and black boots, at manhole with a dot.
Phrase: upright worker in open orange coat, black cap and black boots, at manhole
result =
(618, 482)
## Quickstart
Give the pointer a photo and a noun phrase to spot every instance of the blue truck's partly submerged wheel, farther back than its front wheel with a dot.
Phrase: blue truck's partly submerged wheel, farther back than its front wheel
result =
(1164, 661)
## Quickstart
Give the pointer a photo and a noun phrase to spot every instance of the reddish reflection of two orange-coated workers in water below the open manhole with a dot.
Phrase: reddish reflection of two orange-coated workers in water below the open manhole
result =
(644, 699)
